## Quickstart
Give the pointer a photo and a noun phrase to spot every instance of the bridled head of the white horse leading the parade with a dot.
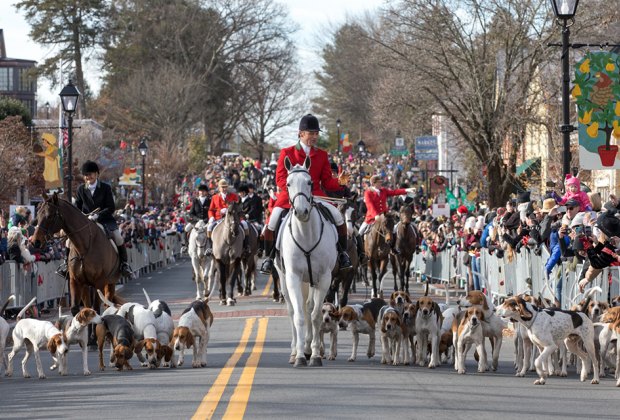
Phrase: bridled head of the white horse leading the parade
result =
(299, 186)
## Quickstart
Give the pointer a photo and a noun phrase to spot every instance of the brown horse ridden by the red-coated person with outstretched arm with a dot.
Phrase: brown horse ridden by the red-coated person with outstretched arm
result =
(377, 248)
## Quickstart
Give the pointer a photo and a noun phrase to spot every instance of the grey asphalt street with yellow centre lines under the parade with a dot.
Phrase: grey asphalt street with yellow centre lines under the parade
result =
(248, 375)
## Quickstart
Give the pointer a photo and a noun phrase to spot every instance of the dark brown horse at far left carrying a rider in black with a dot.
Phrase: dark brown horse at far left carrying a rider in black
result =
(93, 261)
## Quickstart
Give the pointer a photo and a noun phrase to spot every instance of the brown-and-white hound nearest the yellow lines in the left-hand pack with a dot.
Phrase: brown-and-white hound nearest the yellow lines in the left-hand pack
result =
(194, 324)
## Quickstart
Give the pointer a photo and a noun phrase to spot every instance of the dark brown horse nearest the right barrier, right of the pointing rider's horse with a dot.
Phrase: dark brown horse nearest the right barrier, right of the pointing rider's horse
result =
(406, 243)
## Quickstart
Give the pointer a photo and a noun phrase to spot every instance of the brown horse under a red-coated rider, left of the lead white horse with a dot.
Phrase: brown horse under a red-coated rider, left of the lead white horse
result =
(227, 240)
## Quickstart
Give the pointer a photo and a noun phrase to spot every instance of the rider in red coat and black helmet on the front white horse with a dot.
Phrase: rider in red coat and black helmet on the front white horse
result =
(322, 179)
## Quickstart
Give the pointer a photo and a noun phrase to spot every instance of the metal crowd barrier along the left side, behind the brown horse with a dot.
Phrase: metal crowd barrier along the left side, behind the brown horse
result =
(41, 281)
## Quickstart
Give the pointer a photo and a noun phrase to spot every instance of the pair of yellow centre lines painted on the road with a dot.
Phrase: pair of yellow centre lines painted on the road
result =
(239, 400)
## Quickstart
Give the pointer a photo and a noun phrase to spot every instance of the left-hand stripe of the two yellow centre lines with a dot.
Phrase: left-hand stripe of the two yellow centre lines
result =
(211, 400)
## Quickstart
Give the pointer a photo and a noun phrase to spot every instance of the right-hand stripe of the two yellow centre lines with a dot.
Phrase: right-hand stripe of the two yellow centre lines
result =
(239, 400)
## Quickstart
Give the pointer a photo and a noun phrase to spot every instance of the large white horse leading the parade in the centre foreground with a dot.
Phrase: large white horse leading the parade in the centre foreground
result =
(307, 258)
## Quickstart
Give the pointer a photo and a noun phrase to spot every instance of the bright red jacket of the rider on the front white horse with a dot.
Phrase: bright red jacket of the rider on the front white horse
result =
(320, 171)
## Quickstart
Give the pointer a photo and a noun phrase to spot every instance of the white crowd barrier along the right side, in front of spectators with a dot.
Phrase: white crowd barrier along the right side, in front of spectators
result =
(525, 274)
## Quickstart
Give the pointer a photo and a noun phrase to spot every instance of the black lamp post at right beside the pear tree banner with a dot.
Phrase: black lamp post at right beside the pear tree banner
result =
(564, 12)
